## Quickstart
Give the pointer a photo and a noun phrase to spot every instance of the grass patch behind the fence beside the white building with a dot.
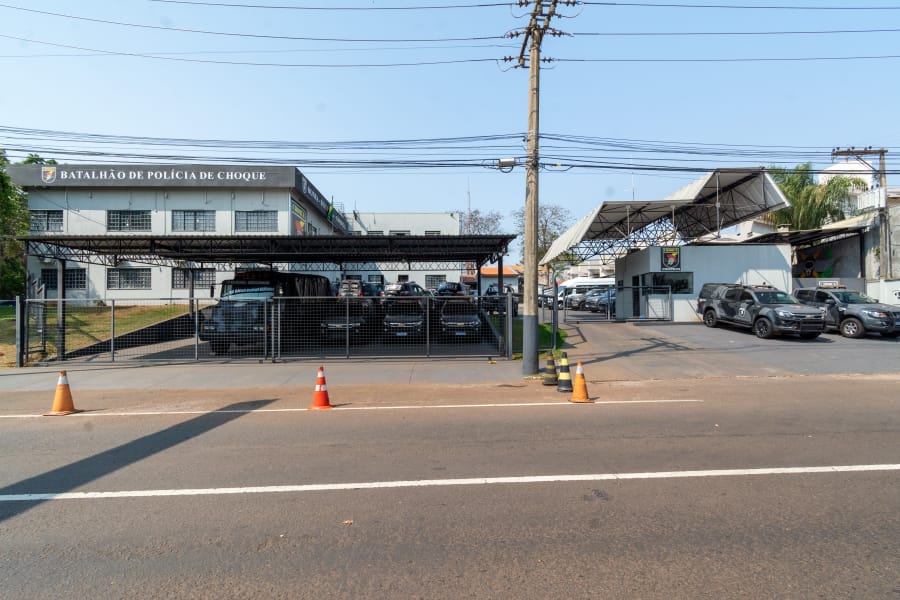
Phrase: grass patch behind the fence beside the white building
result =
(85, 325)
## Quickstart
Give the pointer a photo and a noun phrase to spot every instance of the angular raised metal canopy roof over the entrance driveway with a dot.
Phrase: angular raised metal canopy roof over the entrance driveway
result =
(717, 200)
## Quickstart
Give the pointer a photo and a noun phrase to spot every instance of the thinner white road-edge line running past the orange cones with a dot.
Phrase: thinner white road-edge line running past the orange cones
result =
(343, 408)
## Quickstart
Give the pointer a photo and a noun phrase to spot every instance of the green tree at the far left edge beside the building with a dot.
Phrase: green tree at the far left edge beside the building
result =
(13, 223)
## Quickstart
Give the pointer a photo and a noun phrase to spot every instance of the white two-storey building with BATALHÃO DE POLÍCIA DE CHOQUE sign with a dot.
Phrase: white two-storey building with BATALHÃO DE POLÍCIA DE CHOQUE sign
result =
(163, 200)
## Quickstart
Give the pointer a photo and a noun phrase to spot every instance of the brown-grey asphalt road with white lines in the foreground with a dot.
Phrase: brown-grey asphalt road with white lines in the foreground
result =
(689, 488)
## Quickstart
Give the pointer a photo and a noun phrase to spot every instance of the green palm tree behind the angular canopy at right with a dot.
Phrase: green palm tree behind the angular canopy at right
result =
(812, 205)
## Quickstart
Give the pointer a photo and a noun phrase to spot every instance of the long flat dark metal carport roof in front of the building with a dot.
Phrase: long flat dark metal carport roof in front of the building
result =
(303, 252)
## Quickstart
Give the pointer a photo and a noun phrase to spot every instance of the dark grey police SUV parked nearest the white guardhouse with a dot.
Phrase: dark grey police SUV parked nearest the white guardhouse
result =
(764, 309)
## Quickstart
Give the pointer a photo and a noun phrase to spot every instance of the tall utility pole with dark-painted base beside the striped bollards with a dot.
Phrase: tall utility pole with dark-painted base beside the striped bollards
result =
(540, 21)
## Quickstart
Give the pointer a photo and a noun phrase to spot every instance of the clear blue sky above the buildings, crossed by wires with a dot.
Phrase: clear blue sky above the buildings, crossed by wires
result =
(75, 73)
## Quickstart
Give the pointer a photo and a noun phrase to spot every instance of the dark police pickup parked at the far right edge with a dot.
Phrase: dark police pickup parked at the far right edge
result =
(850, 312)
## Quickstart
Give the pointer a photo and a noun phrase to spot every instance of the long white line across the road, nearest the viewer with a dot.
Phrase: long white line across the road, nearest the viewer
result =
(323, 487)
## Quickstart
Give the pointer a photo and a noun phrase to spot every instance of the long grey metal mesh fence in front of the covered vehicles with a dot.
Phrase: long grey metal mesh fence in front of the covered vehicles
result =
(267, 328)
